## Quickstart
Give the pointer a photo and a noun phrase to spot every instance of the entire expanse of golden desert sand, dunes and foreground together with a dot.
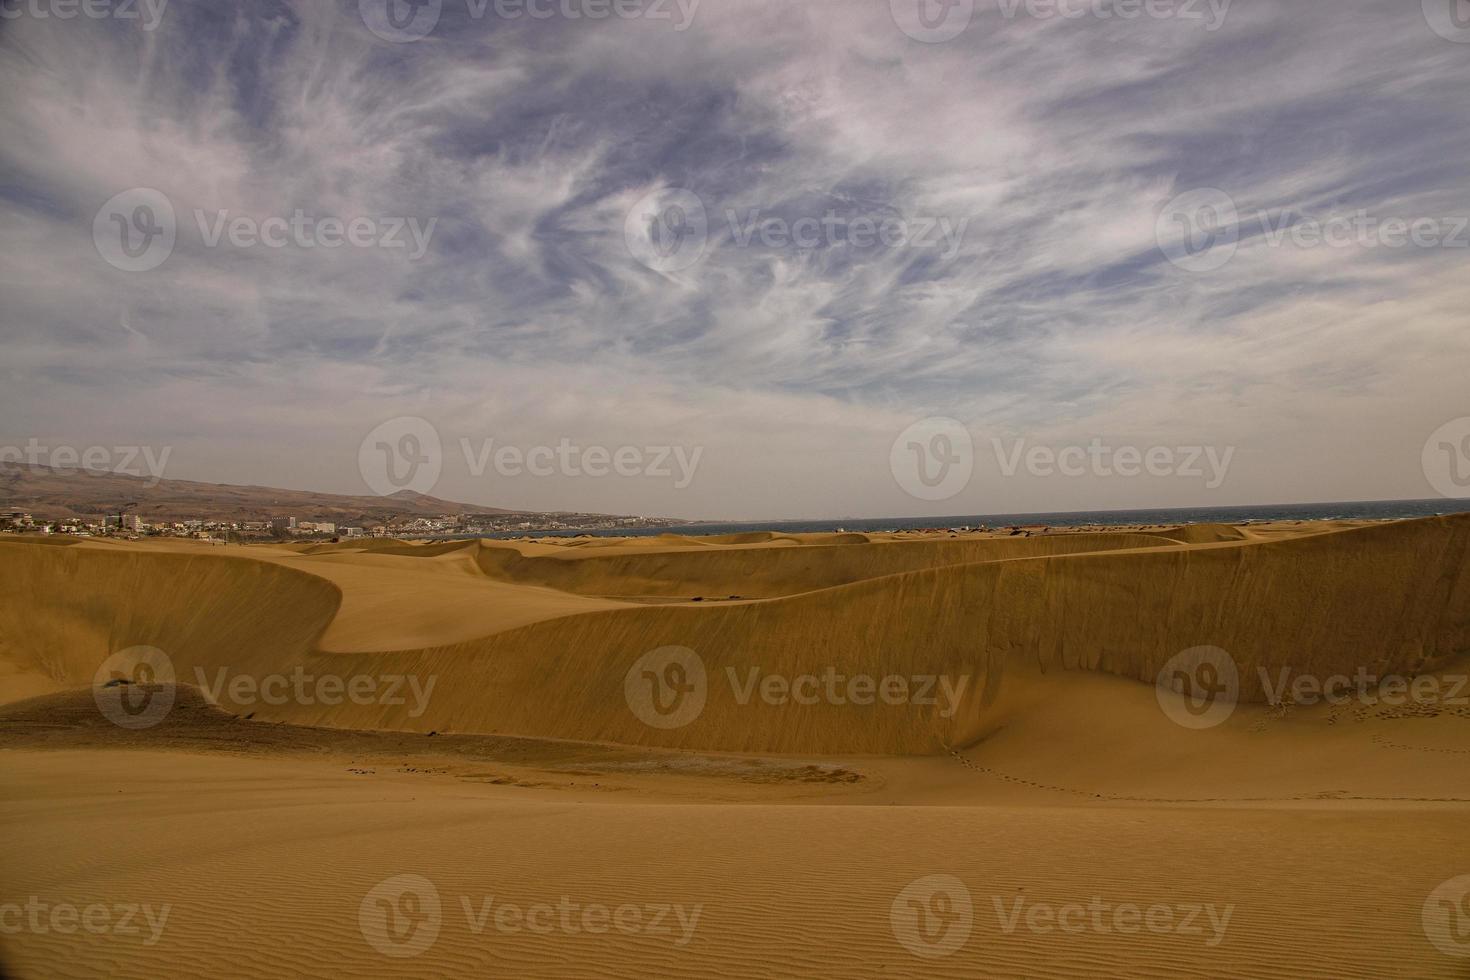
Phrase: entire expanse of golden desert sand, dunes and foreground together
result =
(903, 756)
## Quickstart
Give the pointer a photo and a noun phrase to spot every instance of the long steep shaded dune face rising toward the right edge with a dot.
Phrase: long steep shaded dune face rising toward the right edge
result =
(1391, 600)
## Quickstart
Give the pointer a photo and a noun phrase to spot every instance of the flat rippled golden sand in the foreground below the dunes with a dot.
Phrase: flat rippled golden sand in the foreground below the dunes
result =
(279, 854)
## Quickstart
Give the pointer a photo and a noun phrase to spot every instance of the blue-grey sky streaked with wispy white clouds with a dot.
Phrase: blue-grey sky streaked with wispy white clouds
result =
(746, 261)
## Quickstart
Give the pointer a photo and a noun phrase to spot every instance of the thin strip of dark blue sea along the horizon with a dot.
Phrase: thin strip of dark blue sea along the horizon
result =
(1362, 511)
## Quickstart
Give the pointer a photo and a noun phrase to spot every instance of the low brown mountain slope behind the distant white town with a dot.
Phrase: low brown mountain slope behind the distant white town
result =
(58, 493)
